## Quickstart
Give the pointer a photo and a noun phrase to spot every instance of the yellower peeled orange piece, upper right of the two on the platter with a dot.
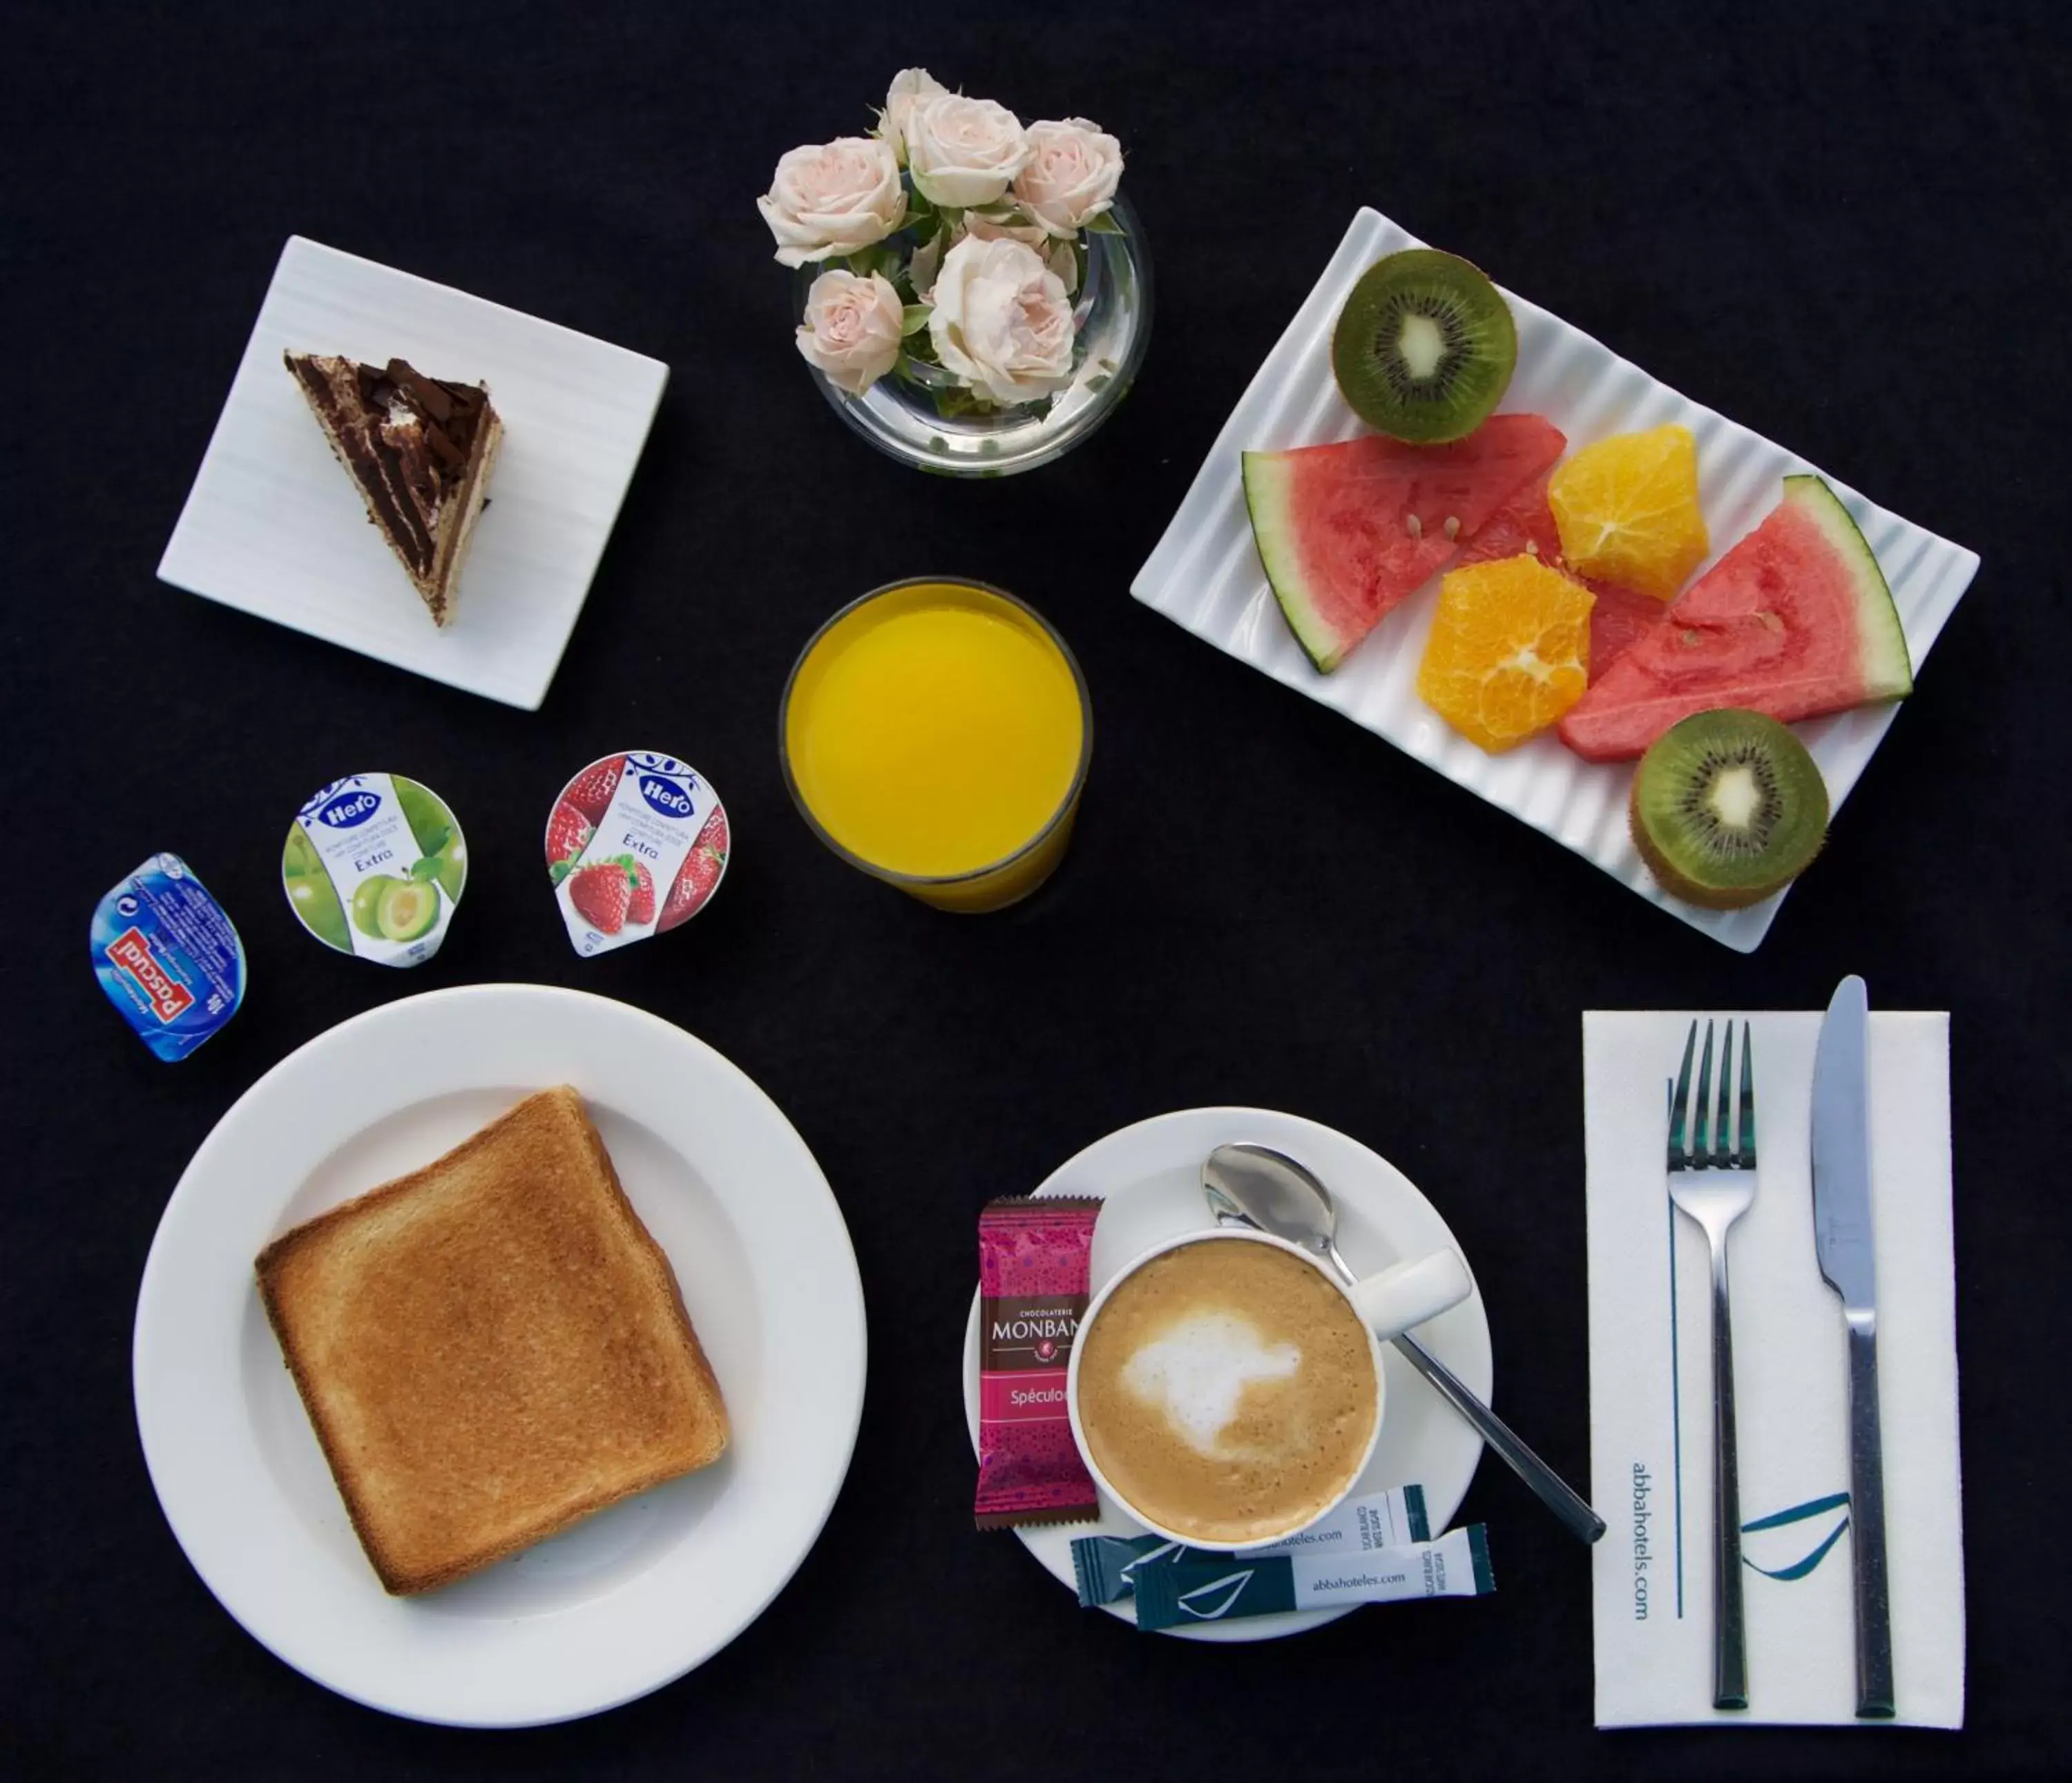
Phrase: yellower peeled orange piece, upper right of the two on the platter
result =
(1628, 510)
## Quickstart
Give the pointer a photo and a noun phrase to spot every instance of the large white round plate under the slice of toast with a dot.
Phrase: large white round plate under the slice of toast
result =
(635, 1596)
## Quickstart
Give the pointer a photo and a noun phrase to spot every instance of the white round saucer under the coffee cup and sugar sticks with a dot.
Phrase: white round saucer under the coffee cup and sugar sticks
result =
(1151, 1181)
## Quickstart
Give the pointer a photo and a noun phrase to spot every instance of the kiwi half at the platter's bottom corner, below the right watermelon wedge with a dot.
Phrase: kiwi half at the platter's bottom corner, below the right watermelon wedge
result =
(1727, 809)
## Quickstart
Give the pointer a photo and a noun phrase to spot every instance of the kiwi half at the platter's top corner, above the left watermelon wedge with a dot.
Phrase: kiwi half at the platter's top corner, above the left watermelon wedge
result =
(1424, 347)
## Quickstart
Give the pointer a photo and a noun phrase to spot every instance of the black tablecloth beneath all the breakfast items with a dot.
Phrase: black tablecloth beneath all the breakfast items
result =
(1843, 227)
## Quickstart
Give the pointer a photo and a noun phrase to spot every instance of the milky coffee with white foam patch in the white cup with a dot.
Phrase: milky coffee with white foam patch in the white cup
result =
(1228, 1391)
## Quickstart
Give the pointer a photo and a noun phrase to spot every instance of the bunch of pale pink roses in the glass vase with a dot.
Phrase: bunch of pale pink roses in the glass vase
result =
(952, 245)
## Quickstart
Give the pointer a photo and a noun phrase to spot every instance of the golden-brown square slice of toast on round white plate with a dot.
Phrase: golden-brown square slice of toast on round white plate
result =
(492, 1347)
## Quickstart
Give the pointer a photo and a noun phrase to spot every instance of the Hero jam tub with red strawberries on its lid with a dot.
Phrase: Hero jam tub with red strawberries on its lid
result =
(635, 846)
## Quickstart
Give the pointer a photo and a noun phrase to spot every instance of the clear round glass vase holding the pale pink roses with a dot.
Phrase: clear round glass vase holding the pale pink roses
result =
(1116, 322)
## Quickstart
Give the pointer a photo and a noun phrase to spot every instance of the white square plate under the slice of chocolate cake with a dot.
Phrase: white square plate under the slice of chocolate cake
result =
(277, 527)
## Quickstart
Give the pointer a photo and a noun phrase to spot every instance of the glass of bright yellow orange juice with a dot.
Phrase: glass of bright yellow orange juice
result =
(936, 734)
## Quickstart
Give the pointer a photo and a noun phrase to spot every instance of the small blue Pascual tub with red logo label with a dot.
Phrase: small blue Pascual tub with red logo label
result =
(169, 958)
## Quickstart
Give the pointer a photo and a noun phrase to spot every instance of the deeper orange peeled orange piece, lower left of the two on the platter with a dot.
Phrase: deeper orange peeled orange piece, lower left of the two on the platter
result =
(1507, 653)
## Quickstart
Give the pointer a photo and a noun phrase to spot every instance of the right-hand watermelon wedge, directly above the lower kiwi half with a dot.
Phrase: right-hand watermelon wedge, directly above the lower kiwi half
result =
(1793, 622)
